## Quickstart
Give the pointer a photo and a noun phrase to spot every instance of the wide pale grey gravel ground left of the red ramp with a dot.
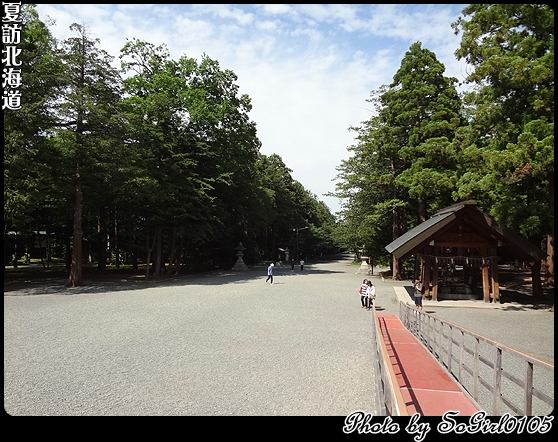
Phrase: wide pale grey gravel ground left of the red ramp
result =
(224, 343)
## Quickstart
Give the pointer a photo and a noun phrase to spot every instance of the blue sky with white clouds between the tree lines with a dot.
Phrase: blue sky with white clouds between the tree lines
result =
(308, 68)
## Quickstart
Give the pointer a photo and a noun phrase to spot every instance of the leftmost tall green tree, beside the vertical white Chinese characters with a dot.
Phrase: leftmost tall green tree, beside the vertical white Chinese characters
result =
(27, 152)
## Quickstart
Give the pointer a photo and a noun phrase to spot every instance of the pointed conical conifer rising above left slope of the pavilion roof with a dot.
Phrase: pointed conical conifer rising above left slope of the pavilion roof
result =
(422, 110)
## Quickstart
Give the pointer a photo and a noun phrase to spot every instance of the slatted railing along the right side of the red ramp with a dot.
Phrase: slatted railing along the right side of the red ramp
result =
(514, 382)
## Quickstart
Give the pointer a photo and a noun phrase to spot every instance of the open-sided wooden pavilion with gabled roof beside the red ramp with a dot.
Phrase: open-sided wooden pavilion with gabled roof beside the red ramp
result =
(457, 252)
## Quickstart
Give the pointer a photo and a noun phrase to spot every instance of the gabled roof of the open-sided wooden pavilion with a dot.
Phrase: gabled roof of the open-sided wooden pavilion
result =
(466, 214)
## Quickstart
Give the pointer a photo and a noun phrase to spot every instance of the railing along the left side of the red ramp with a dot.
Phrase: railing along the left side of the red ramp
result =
(389, 399)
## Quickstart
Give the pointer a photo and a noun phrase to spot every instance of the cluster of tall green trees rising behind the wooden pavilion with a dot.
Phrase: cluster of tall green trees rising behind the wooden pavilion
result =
(427, 146)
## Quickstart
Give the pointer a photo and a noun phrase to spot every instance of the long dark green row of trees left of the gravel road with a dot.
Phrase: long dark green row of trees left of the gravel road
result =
(157, 162)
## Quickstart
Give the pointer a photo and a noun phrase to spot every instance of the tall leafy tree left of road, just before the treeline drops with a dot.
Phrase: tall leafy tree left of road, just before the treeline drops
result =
(223, 123)
